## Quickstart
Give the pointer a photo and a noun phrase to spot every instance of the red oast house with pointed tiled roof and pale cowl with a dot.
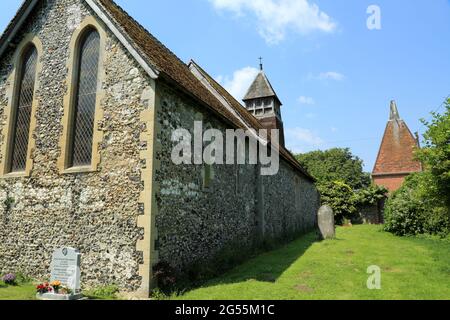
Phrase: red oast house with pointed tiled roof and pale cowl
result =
(396, 156)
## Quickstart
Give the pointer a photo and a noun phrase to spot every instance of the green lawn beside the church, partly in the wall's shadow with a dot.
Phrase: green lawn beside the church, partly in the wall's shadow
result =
(412, 268)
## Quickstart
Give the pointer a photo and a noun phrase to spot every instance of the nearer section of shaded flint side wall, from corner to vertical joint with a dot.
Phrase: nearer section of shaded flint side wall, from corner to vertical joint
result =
(194, 223)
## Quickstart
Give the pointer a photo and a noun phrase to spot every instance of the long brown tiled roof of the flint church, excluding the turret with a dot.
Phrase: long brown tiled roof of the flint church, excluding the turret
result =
(169, 66)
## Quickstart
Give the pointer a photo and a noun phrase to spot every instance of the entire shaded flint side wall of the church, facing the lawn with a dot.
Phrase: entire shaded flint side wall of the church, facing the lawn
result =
(195, 224)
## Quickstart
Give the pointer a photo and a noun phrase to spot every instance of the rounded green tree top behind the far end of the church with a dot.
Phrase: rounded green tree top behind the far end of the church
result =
(336, 165)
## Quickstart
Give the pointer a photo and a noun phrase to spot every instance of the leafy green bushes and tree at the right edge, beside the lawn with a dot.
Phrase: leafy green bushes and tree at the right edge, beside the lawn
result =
(422, 204)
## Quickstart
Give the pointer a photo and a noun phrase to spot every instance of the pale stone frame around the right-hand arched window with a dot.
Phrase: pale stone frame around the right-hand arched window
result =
(89, 23)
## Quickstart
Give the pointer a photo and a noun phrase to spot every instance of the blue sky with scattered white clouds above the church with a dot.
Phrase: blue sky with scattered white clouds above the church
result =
(334, 75)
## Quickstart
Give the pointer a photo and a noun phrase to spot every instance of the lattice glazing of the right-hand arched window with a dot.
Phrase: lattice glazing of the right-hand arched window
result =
(82, 125)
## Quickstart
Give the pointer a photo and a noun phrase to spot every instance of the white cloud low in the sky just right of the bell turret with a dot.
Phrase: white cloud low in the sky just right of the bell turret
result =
(301, 140)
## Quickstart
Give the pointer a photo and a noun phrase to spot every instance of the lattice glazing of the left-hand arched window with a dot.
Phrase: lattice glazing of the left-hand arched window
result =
(22, 111)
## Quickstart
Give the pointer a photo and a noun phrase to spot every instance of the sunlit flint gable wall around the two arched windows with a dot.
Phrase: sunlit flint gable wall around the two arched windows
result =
(93, 212)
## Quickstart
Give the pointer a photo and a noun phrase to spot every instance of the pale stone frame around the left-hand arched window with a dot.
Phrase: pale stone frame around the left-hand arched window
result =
(12, 93)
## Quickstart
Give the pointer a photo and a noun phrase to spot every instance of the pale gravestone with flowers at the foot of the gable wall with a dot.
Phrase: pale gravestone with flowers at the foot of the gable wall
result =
(65, 267)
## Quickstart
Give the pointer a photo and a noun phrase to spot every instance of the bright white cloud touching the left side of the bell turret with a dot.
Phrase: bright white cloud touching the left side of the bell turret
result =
(240, 82)
